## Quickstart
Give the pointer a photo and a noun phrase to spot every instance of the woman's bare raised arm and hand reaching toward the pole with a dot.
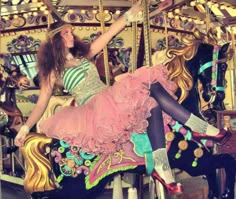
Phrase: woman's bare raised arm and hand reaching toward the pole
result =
(114, 29)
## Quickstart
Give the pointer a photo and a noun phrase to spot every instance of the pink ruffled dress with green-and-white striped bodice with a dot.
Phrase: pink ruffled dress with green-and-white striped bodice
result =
(106, 116)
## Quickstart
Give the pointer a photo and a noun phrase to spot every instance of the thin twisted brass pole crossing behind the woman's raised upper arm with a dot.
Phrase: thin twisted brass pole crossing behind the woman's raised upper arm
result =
(105, 51)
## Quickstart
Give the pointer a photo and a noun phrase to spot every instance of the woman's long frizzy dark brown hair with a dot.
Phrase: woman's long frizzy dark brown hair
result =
(52, 56)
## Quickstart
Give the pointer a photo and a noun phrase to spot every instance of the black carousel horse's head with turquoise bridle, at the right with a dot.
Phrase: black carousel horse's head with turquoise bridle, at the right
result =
(211, 60)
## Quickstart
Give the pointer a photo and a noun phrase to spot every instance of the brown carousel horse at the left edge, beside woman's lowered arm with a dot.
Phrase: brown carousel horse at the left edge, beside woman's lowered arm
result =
(11, 116)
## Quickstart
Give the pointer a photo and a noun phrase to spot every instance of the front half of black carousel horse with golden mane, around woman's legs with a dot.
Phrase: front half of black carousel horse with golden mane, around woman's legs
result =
(207, 65)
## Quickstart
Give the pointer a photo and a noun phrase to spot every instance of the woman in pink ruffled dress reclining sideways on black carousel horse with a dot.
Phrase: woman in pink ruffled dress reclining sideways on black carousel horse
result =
(106, 116)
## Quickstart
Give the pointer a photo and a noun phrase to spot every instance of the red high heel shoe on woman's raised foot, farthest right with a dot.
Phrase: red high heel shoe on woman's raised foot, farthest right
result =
(221, 138)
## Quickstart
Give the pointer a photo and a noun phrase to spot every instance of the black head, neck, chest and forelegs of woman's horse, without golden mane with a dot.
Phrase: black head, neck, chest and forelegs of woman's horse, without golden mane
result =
(211, 72)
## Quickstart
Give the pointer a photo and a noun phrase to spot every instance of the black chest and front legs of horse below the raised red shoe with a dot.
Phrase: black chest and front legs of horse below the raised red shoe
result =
(207, 166)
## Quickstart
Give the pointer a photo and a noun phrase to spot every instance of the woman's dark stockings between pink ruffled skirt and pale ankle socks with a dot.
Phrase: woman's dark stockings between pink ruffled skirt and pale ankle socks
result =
(169, 105)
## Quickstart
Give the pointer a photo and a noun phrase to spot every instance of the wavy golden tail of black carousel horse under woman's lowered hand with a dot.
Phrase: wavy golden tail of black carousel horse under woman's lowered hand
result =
(38, 167)
